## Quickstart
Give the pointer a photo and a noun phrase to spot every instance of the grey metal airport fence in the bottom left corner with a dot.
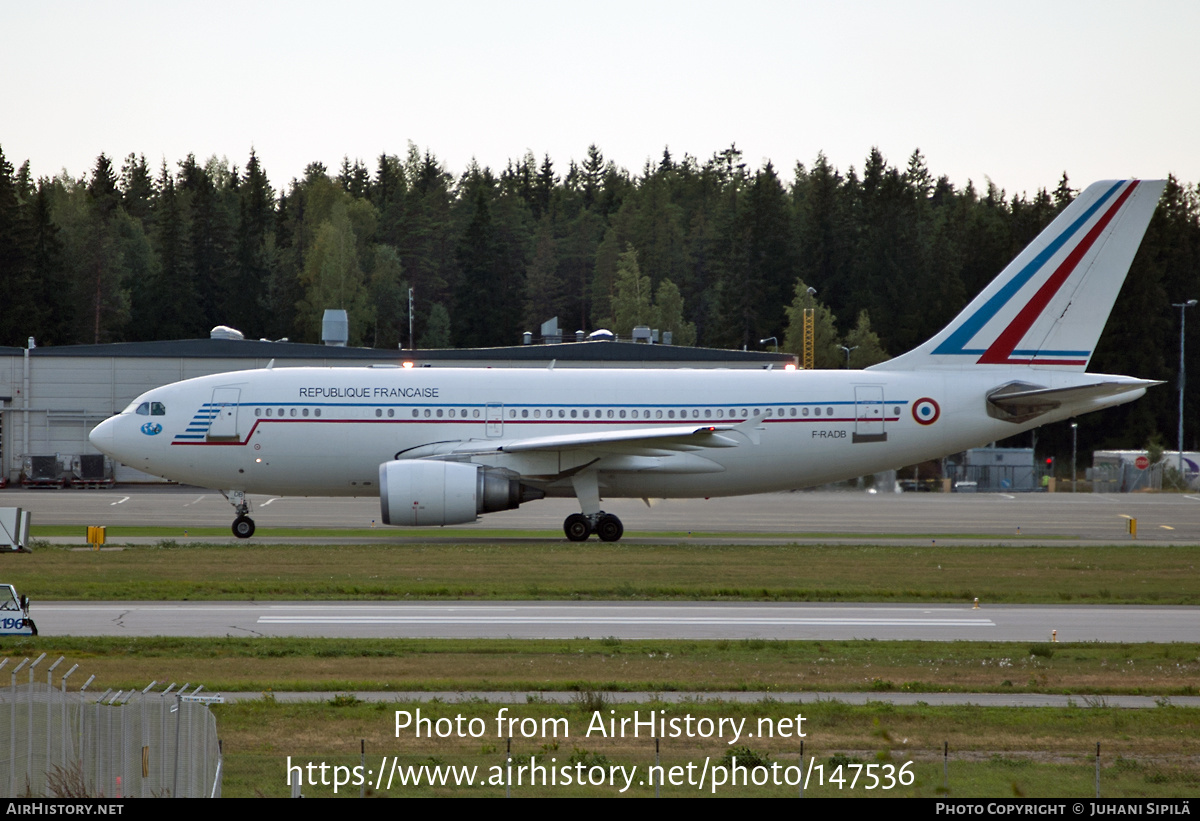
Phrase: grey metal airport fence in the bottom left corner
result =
(119, 746)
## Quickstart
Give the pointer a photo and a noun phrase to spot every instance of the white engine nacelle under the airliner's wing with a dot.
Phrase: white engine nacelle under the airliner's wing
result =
(435, 493)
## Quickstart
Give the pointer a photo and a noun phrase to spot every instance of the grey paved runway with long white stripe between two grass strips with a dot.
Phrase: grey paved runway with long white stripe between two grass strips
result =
(632, 621)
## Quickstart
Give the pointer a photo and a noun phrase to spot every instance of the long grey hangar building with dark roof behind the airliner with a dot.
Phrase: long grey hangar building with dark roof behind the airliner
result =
(52, 398)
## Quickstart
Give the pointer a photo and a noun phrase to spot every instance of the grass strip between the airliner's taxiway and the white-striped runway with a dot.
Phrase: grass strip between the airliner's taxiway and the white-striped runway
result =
(520, 571)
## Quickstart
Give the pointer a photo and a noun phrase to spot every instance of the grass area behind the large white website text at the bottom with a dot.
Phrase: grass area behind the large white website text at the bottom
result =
(1036, 753)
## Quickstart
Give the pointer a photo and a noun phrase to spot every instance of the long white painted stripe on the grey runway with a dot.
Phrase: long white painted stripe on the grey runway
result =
(627, 620)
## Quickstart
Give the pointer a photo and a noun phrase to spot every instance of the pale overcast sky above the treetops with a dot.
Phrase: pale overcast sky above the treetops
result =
(1015, 92)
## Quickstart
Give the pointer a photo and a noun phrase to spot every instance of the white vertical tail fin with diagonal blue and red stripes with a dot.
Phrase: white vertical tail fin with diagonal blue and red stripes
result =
(1049, 305)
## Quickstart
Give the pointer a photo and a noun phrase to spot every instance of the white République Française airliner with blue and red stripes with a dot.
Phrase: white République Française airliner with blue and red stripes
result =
(446, 446)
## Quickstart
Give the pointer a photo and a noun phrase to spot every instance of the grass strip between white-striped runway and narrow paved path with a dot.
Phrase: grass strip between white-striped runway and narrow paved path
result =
(267, 664)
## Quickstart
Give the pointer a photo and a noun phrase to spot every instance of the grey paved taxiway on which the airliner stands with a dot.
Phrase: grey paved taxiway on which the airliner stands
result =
(1100, 518)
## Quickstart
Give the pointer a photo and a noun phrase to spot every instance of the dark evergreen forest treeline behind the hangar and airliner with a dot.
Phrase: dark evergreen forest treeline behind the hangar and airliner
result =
(721, 254)
